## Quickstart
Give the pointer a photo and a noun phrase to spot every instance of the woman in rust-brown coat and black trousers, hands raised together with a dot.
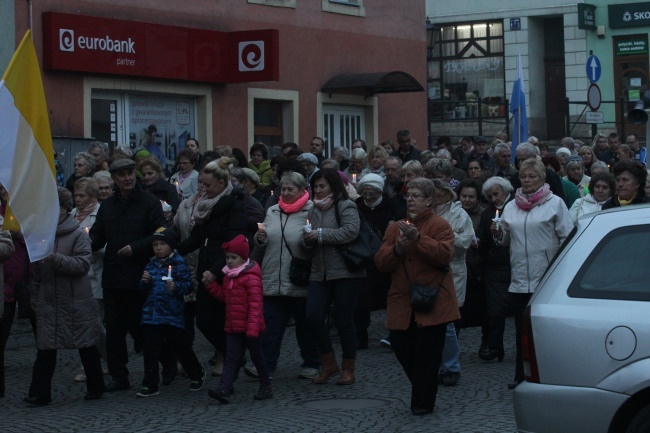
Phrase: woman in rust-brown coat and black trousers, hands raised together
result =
(418, 250)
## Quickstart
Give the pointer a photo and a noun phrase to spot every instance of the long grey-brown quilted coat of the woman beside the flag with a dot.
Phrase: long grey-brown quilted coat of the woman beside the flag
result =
(62, 297)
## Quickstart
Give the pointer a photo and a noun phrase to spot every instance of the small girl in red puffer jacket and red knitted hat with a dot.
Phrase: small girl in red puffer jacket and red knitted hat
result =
(241, 291)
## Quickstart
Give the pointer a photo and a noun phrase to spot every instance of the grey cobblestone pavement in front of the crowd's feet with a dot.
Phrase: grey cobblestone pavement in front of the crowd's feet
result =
(378, 402)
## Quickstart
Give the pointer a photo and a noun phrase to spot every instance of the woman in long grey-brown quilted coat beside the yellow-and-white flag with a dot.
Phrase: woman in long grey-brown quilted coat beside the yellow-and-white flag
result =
(66, 313)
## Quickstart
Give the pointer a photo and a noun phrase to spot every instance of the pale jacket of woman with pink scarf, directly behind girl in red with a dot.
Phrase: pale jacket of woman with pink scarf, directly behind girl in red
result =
(277, 259)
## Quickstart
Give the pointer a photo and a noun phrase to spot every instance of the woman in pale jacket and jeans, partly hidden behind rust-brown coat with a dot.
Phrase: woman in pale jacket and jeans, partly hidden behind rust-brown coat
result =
(446, 207)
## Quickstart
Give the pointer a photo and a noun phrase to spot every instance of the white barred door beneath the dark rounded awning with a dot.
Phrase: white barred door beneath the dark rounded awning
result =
(342, 124)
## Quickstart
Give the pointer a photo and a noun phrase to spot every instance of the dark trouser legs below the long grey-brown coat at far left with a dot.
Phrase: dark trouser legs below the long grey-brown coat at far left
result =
(41, 386)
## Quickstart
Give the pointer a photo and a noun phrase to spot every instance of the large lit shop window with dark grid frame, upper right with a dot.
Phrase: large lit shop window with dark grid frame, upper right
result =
(465, 62)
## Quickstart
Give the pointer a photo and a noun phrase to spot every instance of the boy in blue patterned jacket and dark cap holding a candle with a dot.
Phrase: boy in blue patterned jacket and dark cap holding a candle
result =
(167, 279)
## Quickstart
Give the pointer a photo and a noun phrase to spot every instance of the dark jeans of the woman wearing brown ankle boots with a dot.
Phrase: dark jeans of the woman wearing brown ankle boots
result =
(343, 295)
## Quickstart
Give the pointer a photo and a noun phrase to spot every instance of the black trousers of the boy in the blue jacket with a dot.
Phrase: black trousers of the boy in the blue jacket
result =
(155, 337)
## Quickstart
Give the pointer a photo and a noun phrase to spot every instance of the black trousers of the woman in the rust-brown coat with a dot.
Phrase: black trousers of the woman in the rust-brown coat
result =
(419, 351)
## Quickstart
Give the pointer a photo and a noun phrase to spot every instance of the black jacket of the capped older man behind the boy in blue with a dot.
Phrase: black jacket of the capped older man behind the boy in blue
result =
(126, 222)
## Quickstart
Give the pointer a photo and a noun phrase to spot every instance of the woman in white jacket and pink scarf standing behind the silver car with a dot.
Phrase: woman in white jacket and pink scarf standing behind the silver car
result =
(534, 224)
